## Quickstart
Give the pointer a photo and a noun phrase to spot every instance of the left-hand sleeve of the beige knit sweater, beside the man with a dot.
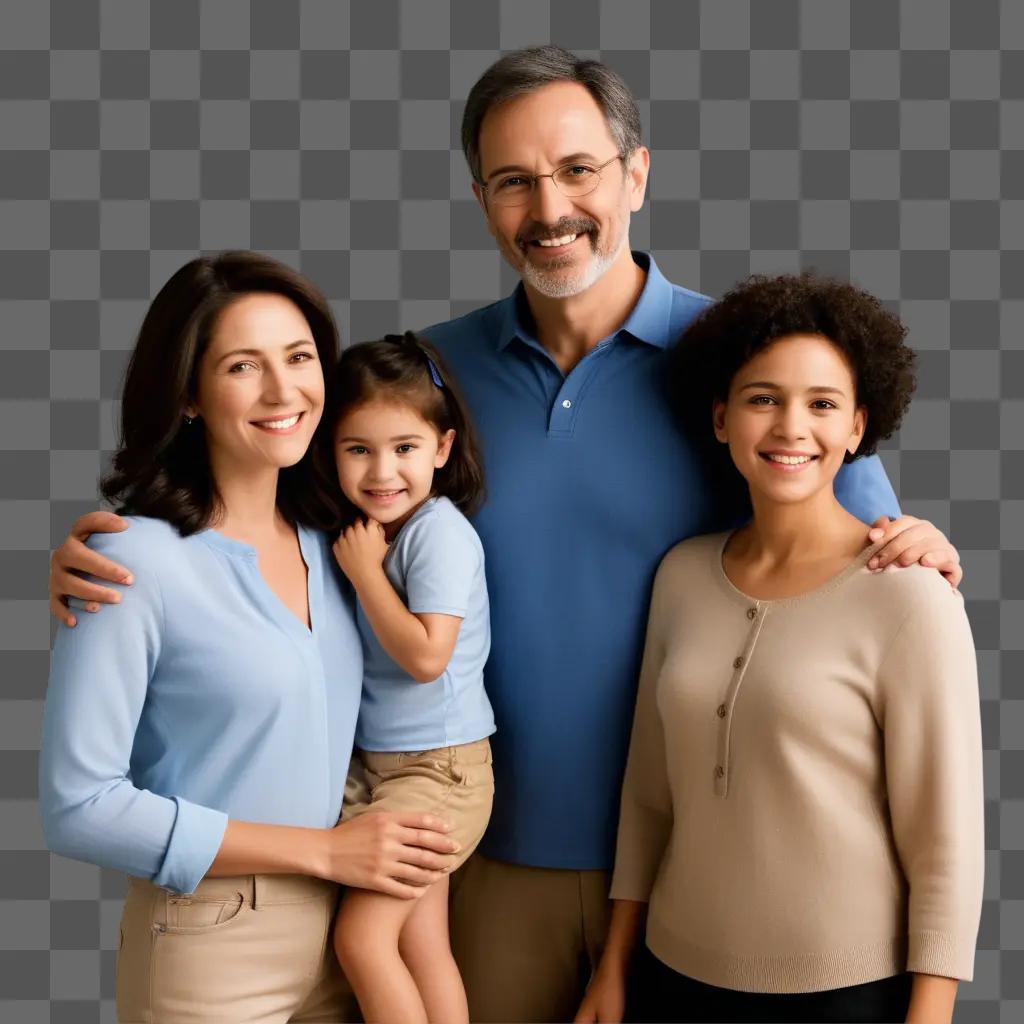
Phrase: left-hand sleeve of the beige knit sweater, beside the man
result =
(646, 816)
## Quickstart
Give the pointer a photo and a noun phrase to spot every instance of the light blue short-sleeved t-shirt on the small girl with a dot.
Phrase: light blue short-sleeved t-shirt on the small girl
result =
(437, 566)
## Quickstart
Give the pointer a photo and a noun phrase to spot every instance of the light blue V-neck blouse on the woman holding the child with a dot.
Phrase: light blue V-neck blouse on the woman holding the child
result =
(198, 699)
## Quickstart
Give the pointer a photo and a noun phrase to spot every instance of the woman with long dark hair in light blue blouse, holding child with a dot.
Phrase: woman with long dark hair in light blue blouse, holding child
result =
(197, 737)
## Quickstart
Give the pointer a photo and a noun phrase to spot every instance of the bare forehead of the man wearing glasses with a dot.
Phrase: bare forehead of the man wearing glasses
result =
(551, 123)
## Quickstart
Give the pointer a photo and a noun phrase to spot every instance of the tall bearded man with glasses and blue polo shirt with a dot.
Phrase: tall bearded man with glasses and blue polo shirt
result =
(590, 483)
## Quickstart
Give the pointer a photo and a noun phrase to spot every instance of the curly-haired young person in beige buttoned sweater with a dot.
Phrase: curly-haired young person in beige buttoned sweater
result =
(802, 808)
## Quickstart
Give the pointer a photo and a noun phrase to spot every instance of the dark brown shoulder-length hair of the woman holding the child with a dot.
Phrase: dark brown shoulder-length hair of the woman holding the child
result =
(162, 467)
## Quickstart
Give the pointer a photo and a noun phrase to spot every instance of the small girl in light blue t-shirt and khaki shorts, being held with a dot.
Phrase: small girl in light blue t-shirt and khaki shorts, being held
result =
(408, 462)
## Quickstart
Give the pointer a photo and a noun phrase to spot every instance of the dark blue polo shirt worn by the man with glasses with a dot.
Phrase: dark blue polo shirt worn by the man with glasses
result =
(590, 482)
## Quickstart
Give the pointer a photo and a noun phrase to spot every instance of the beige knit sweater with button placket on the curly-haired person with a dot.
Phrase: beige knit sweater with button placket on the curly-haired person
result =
(803, 802)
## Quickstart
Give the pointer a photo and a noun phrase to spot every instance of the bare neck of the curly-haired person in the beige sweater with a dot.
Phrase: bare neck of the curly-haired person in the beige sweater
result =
(784, 536)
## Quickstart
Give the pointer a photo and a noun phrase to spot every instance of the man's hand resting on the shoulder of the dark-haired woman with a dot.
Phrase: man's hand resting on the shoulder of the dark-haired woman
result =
(73, 559)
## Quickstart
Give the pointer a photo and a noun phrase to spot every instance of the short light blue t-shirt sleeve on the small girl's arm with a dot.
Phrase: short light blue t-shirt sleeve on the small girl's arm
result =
(444, 564)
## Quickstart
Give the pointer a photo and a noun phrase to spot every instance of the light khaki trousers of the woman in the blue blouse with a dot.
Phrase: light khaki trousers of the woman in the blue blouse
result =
(248, 949)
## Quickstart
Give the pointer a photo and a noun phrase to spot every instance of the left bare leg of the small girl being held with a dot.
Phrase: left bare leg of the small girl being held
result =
(366, 941)
